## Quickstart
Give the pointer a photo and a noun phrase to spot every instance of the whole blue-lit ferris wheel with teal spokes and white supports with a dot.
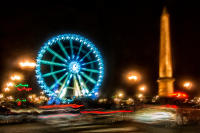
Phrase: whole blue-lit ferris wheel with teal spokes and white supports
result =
(69, 66)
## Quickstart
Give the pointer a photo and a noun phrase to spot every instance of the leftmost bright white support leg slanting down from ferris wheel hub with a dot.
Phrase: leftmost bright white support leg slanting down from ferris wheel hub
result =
(65, 85)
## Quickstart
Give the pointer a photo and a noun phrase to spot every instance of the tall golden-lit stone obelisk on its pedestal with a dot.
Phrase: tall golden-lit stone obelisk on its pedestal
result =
(166, 80)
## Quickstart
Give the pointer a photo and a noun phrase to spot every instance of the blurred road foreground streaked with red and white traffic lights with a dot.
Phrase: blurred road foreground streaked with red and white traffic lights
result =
(156, 119)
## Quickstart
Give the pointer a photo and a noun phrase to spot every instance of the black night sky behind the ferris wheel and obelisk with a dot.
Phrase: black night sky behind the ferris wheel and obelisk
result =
(126, 32)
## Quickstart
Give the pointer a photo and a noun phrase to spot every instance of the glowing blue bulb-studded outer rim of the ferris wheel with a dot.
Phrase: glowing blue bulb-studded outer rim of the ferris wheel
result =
(69, 37)
